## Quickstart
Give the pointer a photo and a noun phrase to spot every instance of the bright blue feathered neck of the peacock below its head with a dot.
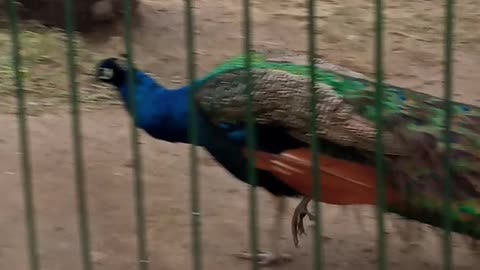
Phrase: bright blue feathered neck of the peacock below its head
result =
(163, 113)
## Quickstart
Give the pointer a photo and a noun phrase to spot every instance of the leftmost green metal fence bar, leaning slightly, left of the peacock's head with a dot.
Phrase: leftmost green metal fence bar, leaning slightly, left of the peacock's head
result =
(24, 145)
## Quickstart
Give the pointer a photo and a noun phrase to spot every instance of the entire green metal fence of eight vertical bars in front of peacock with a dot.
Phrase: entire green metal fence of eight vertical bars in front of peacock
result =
(143, 258)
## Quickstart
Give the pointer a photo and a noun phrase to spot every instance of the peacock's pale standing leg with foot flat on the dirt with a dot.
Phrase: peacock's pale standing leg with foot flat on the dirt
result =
(276, 231)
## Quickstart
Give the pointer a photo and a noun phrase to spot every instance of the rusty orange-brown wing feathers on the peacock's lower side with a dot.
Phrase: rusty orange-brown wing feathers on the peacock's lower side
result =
(341, 182)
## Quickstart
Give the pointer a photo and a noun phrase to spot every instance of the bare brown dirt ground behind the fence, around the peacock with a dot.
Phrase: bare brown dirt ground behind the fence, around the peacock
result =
(344, 36)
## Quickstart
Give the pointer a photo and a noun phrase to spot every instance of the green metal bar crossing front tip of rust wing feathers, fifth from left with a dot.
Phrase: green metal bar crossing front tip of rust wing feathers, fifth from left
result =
(251, 143)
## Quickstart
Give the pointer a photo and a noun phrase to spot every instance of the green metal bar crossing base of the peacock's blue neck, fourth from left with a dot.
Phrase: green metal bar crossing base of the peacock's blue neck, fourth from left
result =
(193, 138)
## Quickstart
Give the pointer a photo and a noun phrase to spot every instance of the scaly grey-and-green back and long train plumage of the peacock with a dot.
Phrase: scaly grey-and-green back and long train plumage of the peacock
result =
(414, 121)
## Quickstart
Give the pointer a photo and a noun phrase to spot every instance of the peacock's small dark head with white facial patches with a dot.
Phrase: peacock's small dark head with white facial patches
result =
(112, 71)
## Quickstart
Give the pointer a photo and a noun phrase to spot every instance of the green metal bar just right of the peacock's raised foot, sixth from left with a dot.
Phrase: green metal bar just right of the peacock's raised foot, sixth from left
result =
(317, 246)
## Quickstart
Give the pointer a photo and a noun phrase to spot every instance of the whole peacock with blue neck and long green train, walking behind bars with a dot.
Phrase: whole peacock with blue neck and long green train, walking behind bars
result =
(345, 129)
